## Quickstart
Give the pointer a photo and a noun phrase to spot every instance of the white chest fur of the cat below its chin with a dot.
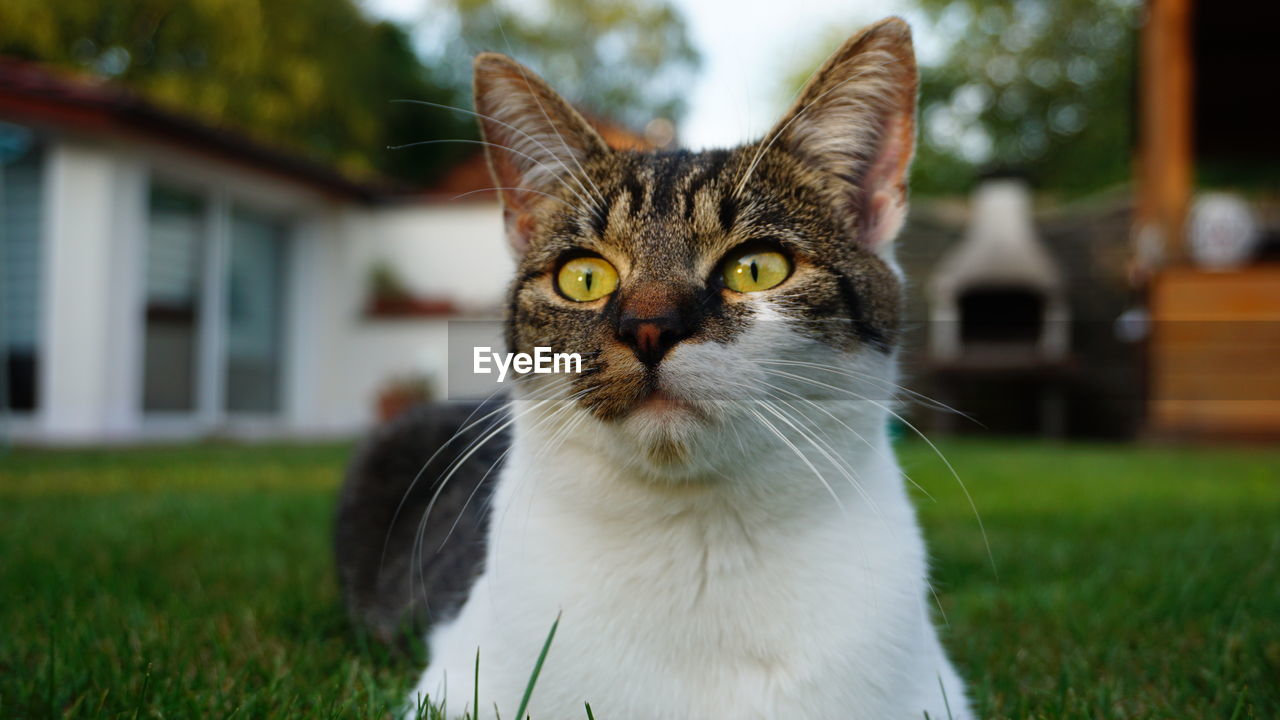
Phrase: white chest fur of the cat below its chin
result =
(761, 596)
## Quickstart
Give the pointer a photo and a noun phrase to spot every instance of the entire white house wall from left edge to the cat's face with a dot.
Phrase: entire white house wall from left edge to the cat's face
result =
(337, 358)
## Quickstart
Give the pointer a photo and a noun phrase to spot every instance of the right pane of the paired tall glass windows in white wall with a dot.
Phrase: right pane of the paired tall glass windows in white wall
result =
(255, 313)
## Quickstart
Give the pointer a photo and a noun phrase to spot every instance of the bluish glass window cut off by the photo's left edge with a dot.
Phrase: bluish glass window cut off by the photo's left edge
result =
(21, 170)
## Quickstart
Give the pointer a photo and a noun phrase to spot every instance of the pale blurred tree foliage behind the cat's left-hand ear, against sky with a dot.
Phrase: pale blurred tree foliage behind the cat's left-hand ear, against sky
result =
(628, 61)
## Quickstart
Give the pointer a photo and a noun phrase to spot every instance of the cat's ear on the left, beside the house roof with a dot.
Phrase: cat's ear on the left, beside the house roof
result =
(536, 142)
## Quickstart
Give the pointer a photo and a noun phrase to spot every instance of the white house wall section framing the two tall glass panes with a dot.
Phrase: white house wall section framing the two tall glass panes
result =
(92, 276)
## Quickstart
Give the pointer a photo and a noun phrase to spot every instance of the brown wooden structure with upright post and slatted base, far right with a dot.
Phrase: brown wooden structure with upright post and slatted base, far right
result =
(1214, 362)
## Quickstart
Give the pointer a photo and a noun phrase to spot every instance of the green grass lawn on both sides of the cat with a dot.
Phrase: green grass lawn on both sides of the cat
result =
(196, 582)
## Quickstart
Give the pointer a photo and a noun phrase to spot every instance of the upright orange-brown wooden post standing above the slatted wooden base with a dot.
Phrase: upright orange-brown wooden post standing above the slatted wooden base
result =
(1165, 162)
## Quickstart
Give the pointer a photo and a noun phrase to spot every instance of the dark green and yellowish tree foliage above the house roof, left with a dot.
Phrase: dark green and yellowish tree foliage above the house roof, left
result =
(314, 76)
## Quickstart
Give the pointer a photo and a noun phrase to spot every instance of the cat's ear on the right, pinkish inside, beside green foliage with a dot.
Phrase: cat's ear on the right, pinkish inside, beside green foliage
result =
(856, 121)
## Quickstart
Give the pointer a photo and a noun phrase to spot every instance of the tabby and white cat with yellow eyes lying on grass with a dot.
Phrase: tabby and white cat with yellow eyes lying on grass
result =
(712, 509)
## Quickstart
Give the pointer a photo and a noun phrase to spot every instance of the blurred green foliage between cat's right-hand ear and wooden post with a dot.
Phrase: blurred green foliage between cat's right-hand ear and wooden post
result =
(1040, 86)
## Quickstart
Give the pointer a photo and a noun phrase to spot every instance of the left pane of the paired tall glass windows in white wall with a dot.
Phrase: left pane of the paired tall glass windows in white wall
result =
(175, 266)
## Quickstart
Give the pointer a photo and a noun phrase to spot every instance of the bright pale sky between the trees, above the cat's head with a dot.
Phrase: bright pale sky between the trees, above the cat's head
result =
(749, 48)
